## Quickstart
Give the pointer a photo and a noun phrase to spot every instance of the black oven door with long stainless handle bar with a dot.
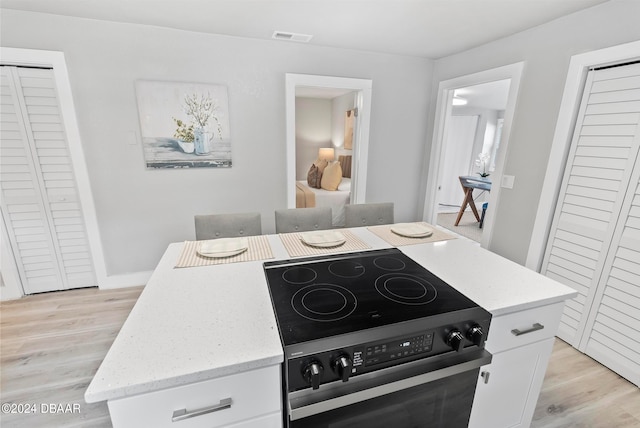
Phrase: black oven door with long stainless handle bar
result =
(423, 395)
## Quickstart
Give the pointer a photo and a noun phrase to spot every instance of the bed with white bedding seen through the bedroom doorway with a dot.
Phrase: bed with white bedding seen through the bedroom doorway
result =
(309, 197)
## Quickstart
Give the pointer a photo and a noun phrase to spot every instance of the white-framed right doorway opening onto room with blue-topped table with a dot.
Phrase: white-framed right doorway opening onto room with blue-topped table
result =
(484, 142)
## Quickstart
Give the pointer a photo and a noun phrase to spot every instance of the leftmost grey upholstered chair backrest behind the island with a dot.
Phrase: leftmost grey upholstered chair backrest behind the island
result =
(212, 226)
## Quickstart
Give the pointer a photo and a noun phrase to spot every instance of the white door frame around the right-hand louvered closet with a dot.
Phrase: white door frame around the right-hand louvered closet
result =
(561, 144)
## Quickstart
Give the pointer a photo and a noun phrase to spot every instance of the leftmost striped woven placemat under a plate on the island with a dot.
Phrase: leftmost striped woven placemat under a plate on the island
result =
(259, 249)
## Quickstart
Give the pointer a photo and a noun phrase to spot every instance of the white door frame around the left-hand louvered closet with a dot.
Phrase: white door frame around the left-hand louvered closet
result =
(56, 60)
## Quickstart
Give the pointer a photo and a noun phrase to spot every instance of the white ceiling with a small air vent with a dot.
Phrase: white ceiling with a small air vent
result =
(424, 28)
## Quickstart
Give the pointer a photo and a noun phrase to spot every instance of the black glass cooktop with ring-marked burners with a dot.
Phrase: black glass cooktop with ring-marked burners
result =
(319, 297)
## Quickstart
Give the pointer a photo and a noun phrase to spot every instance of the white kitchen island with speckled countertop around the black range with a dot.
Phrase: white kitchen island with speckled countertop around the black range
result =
(196, 331)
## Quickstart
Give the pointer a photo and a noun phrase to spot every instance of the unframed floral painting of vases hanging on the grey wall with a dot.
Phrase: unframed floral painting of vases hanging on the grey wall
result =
(184, 125)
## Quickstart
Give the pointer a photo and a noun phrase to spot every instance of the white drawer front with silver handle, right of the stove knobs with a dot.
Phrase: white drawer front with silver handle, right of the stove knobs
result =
(521, 328)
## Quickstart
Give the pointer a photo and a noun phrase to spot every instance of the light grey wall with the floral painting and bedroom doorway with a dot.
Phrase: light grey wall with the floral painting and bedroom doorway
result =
(140, 211)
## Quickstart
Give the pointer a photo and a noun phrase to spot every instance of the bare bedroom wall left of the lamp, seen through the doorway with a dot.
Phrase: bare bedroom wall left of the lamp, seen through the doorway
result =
(313, 131)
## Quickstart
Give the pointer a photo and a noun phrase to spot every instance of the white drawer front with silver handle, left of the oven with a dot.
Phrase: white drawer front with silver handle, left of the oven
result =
(213, 403)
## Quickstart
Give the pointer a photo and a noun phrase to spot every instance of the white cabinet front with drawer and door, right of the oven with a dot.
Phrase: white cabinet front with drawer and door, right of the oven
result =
(508, 388)
